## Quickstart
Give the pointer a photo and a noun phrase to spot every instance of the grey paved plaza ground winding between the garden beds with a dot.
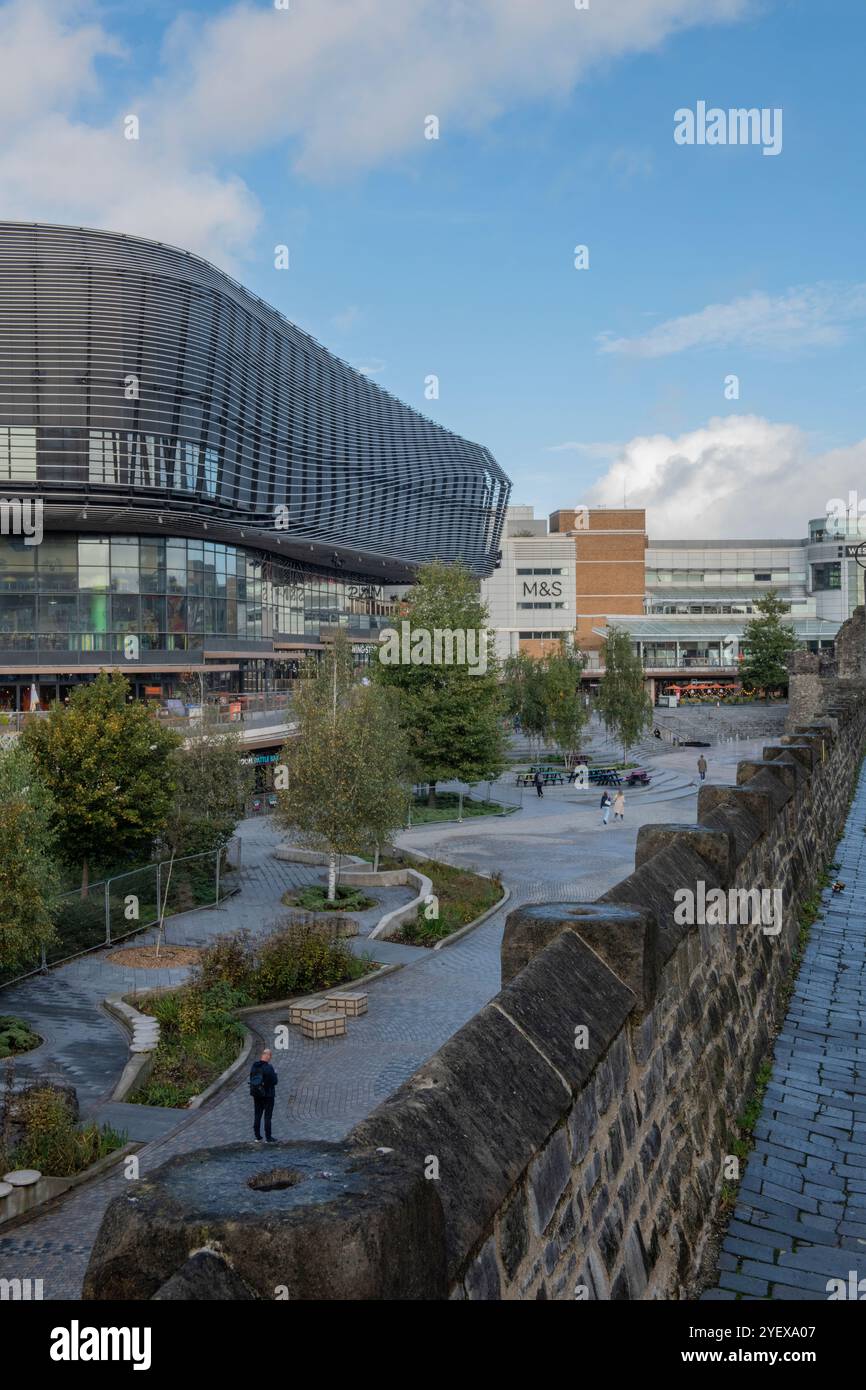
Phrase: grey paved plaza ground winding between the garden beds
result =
(559, 853)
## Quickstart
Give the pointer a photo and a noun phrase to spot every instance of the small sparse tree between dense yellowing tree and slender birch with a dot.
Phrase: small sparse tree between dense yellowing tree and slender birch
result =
(212, 787)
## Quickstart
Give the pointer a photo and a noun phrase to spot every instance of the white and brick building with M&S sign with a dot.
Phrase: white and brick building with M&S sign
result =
(686, 604)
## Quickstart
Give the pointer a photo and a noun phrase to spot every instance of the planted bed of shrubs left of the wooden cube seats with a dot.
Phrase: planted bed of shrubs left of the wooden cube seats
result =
(201, 1035)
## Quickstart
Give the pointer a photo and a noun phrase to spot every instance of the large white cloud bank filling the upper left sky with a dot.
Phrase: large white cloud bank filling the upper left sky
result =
(327, 88)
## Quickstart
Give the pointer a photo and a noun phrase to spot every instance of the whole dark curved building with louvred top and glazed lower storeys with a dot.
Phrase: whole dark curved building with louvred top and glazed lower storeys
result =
(216, 493)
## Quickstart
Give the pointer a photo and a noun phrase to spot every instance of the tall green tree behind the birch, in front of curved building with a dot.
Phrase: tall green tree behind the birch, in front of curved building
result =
(451, 714)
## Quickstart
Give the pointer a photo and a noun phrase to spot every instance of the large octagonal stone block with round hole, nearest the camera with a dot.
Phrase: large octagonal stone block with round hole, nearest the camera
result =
(323, 1221)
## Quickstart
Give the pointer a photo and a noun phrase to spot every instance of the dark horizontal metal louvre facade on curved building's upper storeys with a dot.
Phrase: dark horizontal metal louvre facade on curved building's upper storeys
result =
(145, 393)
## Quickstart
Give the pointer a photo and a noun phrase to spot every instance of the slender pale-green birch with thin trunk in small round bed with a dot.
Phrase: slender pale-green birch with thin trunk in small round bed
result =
(347, 765)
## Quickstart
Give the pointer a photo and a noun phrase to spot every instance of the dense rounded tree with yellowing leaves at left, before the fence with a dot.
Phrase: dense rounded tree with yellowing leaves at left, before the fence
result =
(108, 767)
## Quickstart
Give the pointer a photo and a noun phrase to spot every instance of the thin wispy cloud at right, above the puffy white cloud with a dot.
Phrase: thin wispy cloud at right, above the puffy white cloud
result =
(808, 316)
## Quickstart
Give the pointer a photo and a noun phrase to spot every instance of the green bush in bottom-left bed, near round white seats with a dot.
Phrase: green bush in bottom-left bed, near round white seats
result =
(52, 1140)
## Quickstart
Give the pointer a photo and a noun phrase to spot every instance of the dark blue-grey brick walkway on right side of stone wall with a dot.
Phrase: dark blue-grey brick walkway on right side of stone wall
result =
(801, 1213)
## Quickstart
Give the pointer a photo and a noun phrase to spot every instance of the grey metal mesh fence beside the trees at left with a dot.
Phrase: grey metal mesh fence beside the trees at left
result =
(117, 908)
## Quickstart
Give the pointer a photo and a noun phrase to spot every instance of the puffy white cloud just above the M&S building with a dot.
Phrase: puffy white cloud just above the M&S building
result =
(739, 476)
